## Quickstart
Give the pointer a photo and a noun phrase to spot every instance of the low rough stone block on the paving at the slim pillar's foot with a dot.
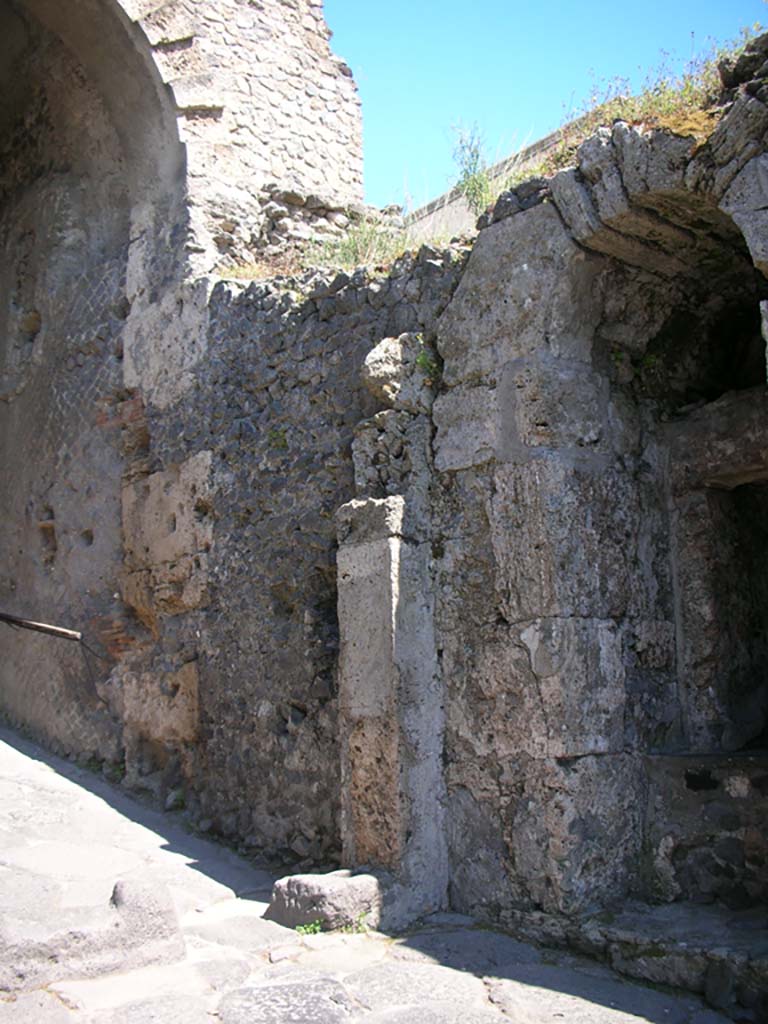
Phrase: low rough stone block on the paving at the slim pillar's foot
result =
(338, 900)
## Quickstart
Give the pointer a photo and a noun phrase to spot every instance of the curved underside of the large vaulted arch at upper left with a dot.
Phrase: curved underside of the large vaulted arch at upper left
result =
(101, 69)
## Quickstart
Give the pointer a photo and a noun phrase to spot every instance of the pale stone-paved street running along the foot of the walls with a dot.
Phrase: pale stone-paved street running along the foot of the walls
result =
(112, 914)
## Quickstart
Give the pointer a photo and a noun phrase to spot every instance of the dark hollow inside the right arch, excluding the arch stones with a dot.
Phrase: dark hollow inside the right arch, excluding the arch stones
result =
(703, 378)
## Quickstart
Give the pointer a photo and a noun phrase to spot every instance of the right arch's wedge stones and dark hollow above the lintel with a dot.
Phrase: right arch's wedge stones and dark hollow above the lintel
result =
(643, 199)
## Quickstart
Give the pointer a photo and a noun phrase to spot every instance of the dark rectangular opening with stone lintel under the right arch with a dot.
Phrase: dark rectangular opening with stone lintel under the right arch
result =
(717, 470)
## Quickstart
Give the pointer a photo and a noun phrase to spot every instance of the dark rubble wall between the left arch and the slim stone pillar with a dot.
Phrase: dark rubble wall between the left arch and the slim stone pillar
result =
(231, 551)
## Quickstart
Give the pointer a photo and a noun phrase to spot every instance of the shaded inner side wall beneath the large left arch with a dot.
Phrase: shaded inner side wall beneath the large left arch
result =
(65, 219)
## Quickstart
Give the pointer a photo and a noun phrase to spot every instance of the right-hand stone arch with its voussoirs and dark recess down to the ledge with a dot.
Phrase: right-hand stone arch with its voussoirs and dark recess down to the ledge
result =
(685, 228)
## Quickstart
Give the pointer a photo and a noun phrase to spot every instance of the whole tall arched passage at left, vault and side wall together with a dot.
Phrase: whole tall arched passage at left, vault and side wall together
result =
(92, 217)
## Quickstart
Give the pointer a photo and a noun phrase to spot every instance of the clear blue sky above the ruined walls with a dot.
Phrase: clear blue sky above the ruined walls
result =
(514, 69)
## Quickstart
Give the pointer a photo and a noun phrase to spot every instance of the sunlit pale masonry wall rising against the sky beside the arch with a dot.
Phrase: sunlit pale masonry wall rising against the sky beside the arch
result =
(261, 99)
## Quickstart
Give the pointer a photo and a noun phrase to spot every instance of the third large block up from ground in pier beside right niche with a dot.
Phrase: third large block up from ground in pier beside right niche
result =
(564, 539)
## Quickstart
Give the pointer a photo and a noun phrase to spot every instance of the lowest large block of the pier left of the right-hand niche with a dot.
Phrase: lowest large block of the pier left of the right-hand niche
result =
(575, 828)
